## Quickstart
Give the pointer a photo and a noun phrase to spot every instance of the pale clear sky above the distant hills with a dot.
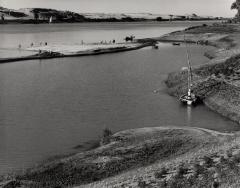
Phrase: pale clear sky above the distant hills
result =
(200, 7)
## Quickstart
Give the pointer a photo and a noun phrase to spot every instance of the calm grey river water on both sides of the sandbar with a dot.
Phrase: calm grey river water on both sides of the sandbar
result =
(48, 107)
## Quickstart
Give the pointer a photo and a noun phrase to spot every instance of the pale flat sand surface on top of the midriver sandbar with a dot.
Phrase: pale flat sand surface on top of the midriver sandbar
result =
(77, 48)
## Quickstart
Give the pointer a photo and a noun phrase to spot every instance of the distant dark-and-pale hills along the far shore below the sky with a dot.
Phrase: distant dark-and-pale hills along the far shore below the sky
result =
(42, 15)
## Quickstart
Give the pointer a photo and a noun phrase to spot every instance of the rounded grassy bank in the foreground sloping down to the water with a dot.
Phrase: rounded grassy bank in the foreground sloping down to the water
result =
(138, 153)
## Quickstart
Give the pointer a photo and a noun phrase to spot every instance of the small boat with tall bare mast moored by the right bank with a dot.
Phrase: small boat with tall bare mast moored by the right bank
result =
(189, 98)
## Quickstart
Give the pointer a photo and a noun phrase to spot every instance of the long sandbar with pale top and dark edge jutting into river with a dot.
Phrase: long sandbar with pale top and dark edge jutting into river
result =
(63, 51)
